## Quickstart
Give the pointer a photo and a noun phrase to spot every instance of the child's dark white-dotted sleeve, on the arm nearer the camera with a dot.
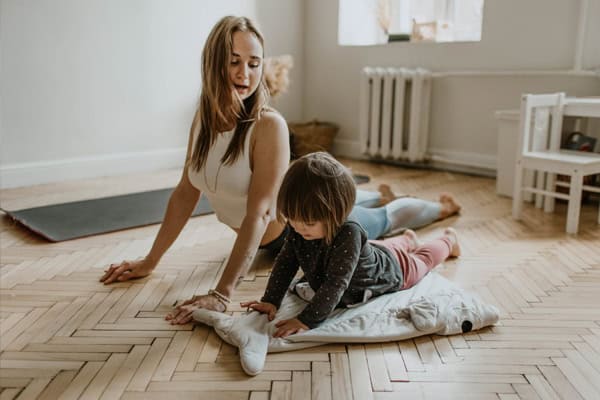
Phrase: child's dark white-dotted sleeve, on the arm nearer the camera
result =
(342, 262)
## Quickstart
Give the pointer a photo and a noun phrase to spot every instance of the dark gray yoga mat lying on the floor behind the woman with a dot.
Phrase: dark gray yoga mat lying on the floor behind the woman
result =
(67, 221)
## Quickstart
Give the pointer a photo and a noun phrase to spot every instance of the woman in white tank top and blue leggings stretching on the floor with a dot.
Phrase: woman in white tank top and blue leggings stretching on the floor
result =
(238, 152)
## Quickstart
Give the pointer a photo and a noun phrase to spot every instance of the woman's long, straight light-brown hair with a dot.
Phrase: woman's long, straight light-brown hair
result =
(220, 106)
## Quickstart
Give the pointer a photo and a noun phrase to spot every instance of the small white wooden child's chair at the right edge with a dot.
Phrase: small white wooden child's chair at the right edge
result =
(539, 151)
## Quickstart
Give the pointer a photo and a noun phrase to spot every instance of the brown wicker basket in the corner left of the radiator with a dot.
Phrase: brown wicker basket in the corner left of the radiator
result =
(312, 136)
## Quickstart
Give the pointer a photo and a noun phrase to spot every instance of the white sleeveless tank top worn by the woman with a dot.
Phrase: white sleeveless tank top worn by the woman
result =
(225, 186)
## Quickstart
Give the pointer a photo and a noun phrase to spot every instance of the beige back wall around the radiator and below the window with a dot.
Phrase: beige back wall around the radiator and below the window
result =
(535, 39)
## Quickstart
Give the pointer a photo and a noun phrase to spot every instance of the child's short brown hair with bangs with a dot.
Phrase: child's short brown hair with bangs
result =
(317, 188)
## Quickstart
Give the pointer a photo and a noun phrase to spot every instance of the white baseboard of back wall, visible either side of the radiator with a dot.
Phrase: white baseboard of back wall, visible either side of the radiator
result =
(475, 163)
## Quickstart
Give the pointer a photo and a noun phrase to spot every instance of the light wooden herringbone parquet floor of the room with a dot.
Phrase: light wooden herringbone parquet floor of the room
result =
(66, 336)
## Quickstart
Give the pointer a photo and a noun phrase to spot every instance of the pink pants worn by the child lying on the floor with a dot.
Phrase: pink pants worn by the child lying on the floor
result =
(416, 263)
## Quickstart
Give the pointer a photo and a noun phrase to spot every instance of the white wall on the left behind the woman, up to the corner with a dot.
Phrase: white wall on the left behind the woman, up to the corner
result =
(101, 87)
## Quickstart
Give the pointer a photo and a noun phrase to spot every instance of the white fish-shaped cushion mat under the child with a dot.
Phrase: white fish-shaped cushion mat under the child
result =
(434, 305)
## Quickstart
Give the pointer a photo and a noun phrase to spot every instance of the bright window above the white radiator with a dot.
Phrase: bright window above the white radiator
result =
(369, 22)
